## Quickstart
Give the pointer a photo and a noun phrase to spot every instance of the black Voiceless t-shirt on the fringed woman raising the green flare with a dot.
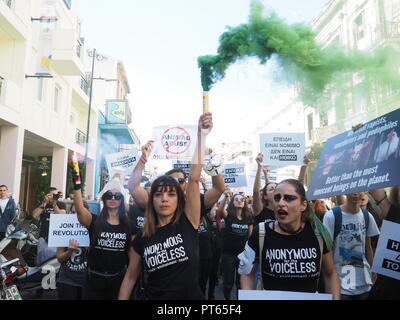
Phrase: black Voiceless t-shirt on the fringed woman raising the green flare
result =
(171, 258)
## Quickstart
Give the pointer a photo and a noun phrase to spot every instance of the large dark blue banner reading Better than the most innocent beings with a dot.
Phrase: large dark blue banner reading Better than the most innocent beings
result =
(366, 159)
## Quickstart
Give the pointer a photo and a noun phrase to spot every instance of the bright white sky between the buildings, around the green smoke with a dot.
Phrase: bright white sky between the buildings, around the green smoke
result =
(159, 42)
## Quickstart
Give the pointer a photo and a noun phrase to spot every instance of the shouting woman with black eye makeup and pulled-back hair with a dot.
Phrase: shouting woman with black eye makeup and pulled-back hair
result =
(295, 249)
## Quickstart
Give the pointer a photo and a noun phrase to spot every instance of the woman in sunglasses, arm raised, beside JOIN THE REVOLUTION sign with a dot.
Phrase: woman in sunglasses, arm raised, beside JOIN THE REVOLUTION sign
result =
(110, 237)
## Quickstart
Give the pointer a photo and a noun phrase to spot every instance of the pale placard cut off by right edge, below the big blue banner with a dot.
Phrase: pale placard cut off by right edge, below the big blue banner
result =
(387, 255)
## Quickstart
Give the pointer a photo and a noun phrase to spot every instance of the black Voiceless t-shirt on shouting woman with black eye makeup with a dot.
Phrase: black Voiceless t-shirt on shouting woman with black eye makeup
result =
(290, 263)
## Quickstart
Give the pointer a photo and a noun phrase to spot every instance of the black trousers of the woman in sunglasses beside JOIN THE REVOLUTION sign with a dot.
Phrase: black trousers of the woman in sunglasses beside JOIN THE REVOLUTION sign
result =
(97, 287)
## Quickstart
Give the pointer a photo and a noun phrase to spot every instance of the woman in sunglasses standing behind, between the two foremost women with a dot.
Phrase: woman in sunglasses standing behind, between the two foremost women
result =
(238, 228)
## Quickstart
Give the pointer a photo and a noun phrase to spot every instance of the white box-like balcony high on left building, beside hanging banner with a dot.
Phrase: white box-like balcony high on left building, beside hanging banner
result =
(67, 53)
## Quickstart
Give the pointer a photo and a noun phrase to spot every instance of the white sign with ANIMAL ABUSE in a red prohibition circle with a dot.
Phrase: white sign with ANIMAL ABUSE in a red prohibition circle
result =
(174, 142)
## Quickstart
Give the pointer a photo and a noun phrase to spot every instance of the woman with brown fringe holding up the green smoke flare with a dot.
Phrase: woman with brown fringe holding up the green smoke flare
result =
(168, 246)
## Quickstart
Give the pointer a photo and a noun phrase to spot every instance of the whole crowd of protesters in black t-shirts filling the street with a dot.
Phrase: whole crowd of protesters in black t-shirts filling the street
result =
(173, 242)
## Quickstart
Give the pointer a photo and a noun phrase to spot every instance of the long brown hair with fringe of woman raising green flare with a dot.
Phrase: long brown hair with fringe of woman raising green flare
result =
(162, 184)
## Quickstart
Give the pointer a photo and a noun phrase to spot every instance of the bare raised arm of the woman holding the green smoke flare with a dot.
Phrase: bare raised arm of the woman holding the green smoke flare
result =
(192, 204)
